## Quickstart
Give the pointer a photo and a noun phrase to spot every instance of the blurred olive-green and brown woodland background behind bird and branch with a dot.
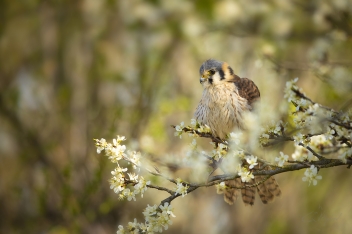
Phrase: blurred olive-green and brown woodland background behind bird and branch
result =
(71, 71)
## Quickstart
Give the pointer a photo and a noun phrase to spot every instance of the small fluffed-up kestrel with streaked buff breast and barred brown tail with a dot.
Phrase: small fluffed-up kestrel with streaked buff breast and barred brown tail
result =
(225, 100)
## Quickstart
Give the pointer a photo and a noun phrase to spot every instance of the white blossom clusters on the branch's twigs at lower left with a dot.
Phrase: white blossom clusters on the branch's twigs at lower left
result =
(157, 218)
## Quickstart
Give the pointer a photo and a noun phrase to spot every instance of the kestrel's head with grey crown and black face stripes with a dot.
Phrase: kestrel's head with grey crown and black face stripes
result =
(213, 72)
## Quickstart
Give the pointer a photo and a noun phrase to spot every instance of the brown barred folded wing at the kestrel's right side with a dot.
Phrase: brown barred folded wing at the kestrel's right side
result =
(247, 89)
